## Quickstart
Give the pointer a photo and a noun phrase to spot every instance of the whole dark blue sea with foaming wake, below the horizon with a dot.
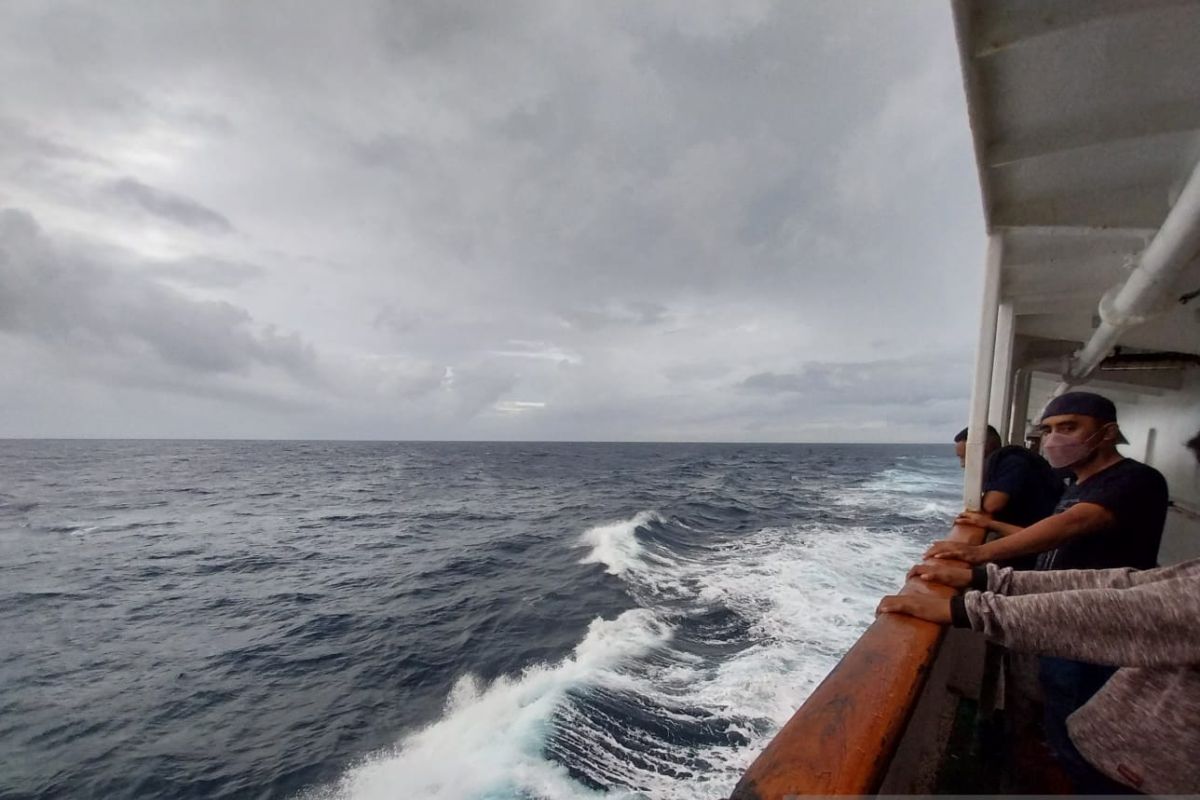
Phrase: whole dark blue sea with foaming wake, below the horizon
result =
(235, 619)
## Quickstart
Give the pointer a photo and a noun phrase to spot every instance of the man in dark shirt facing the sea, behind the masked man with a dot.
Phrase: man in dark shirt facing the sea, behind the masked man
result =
(1019, 488)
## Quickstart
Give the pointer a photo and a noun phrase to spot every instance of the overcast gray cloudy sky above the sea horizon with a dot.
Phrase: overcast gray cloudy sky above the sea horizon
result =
(677, 220)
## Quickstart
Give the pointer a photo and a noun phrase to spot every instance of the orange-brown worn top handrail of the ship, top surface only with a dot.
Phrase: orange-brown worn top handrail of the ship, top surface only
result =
(843, 739)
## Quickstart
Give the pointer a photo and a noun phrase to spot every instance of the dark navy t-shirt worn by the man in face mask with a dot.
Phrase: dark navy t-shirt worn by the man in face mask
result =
(1136, 495)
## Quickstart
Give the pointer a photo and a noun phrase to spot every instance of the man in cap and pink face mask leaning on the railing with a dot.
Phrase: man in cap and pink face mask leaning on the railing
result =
(1111, 518)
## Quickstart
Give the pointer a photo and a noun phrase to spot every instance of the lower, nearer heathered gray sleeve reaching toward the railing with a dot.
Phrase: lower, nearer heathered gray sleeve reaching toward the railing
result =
(1148, 625)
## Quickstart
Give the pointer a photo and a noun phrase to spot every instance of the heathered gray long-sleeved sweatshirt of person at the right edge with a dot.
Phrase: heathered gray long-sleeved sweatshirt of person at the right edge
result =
(1143, 729)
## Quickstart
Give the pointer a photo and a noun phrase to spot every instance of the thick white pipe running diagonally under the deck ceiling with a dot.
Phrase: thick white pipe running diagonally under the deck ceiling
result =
(1173, 249)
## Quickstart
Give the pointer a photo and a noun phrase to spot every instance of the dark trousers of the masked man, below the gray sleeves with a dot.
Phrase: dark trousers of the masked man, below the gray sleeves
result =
(1067, 685)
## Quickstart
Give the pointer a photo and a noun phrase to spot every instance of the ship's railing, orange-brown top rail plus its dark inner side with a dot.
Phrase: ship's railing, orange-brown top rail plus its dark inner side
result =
(881, 720)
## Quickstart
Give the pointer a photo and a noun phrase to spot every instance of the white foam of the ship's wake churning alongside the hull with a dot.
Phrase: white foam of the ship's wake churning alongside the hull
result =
(807, 593)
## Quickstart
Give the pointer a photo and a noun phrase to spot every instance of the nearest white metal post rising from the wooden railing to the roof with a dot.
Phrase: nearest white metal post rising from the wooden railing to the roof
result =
(981, 389)
